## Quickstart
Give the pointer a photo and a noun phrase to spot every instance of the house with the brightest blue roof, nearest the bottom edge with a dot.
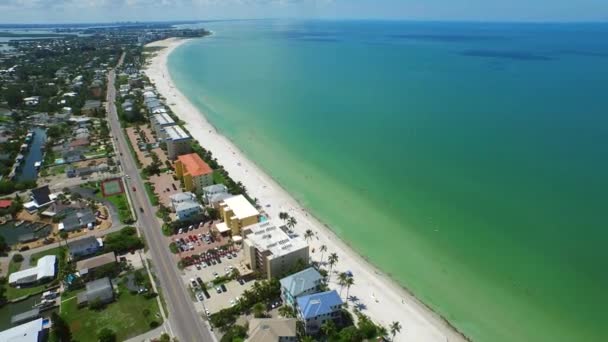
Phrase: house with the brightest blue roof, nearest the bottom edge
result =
(316, 309)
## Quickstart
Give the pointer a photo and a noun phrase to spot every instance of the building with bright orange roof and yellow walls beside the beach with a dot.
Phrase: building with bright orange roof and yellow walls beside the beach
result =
(194, 172)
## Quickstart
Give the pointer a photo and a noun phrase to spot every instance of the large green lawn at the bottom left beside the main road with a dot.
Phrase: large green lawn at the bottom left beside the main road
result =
(125, 316)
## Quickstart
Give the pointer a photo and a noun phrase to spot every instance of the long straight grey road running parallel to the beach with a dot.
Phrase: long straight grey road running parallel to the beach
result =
(184, 321)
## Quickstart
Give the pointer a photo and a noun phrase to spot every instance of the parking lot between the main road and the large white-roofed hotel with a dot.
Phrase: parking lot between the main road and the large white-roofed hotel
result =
(223, 299)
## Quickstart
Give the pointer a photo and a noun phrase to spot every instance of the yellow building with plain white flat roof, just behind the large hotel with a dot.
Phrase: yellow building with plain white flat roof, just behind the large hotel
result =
(237, 213)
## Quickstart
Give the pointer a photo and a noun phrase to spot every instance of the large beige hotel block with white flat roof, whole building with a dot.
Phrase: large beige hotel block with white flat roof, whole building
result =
(269, 250)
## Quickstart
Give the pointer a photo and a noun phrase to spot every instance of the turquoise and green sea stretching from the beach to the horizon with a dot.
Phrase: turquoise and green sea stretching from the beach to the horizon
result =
(468, 161)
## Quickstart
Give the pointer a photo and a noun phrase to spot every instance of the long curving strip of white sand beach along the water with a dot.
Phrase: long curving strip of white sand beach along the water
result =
(384, 298)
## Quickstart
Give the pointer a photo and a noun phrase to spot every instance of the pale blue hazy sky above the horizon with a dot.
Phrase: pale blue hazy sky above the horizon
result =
(60, 11)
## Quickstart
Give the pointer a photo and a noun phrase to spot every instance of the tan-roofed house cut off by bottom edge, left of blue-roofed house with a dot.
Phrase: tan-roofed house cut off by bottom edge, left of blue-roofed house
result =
(272, 330)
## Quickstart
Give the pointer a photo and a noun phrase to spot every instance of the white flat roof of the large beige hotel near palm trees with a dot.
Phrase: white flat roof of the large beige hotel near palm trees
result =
(265, 236)
